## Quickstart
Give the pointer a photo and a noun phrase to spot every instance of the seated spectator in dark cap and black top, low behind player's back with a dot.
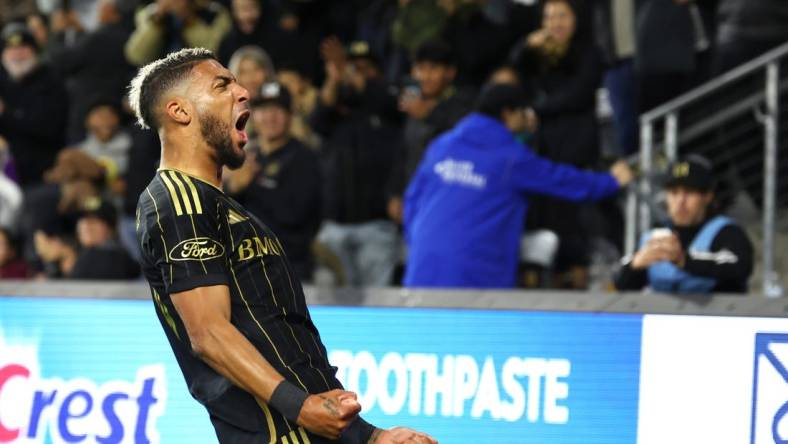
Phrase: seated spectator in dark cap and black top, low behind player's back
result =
(101, 256)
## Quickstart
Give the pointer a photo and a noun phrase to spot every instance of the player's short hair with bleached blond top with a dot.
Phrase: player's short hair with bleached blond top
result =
(158, 77)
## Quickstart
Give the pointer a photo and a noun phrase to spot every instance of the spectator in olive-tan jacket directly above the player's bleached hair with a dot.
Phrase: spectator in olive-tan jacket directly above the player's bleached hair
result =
(169, 25)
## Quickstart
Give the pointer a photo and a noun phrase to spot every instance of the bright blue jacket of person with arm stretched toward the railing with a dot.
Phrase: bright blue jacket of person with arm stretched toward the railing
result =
(466, 203)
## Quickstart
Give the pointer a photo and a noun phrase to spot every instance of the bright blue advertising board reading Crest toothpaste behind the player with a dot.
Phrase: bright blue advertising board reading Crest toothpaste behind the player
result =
(82, 370)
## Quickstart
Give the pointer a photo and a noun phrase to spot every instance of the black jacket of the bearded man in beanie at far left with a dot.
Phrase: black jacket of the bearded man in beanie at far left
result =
(33, 121)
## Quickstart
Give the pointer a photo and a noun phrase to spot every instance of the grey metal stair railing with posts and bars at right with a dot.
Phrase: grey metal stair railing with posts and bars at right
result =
(725, 131)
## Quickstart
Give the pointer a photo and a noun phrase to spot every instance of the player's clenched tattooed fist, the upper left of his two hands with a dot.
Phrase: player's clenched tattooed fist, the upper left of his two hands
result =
(329, 413)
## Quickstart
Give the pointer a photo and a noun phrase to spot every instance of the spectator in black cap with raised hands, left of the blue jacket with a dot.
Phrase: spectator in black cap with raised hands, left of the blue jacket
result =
(432, 105)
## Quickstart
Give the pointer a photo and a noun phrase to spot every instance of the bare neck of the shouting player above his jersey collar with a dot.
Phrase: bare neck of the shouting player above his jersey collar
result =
(190, 156)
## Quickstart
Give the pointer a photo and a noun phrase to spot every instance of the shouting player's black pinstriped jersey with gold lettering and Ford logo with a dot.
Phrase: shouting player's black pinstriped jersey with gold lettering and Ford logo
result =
(193, 235)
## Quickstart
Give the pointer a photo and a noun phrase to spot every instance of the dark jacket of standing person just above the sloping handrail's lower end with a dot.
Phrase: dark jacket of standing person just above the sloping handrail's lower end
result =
(669, 63)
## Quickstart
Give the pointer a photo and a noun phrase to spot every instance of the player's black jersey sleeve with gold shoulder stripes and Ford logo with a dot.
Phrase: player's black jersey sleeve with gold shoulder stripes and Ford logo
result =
(183, 240)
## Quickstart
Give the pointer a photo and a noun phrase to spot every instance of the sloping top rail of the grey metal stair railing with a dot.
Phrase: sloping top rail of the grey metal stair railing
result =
(716, 83)
